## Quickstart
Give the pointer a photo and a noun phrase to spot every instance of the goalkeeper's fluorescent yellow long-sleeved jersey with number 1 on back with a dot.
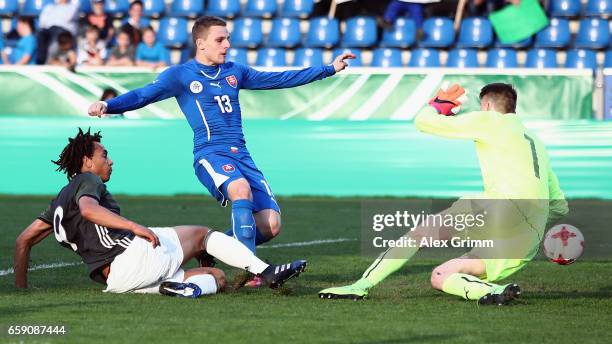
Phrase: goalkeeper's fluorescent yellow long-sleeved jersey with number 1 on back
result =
(513, 161)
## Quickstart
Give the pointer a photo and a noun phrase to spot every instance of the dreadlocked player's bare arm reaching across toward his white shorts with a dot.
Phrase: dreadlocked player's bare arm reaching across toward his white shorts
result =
(94, 212)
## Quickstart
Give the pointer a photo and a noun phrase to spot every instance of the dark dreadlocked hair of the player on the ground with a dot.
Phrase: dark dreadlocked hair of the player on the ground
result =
(71, 159)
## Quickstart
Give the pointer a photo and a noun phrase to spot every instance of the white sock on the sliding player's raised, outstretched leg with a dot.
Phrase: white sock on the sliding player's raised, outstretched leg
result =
(232, 252)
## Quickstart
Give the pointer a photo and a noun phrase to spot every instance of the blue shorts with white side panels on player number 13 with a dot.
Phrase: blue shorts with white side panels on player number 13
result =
(216, 171)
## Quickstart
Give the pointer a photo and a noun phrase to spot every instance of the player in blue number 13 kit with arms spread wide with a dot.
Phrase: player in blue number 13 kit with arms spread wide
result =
(206, 89)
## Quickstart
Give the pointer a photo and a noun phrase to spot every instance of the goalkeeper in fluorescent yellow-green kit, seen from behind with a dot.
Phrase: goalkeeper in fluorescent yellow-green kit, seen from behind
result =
(516, 175)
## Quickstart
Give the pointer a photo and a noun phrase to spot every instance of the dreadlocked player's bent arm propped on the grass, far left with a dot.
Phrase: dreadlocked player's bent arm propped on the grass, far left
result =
(32, 235)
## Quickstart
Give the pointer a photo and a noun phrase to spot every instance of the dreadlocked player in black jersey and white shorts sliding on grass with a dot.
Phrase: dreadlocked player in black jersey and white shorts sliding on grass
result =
(122, 254)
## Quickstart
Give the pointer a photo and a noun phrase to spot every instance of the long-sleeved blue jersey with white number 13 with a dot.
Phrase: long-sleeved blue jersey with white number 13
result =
(208, 97)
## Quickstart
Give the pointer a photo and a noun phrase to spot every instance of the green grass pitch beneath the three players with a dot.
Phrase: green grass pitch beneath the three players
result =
(560, 304)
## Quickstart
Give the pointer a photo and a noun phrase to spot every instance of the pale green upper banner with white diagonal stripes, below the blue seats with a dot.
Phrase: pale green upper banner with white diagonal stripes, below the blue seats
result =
(355, 94)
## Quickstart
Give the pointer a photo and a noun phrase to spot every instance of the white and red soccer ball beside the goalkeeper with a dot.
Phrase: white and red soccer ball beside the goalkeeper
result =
(563, 244)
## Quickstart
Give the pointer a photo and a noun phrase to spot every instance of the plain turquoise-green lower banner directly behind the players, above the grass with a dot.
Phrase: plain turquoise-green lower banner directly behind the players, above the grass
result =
(299, 157)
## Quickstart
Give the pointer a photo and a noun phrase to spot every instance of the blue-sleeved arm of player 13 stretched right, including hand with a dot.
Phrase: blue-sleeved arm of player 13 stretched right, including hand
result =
(256, 80)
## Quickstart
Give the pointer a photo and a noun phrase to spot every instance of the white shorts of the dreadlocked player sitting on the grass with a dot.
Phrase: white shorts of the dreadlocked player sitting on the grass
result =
(141, 268)
